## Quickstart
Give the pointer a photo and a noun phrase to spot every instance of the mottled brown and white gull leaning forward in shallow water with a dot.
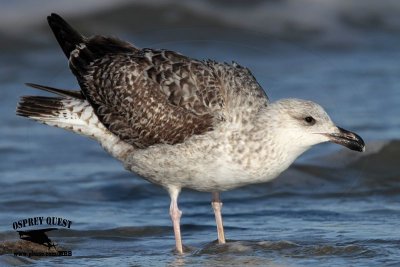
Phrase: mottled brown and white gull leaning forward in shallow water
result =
(179, 122)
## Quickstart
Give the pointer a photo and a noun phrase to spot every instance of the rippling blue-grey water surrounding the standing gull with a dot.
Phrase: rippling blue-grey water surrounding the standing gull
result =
(333, 207)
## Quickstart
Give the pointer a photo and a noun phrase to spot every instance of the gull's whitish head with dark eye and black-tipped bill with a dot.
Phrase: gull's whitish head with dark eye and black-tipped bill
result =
(304, 123)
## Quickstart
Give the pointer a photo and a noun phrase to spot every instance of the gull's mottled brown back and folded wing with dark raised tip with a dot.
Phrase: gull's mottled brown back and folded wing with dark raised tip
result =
(149, 97)
